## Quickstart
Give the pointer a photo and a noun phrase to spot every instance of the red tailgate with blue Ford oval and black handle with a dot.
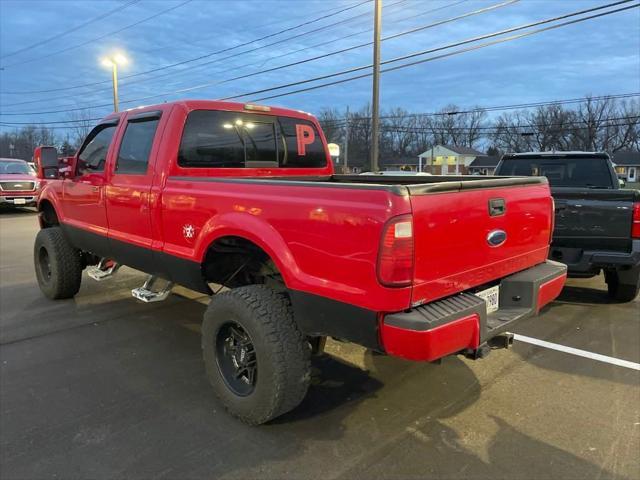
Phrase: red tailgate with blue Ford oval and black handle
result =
(458, 236)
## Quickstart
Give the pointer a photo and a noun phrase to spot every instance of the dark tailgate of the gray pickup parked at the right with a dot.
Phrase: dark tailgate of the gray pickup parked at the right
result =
(593, 219)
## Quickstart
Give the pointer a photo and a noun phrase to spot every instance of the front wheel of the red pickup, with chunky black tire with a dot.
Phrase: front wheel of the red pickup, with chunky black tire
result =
(58, 265)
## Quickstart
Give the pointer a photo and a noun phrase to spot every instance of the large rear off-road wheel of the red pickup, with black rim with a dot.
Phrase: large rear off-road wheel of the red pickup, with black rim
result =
(256, 358)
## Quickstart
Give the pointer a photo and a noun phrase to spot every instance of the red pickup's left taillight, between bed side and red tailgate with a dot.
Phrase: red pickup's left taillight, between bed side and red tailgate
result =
(395, 260)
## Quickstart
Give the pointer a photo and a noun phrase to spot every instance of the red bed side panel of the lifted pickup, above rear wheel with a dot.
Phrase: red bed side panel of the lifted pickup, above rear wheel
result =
(324, 240)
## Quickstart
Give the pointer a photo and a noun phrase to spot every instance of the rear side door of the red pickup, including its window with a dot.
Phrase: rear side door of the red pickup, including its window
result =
(128, 192)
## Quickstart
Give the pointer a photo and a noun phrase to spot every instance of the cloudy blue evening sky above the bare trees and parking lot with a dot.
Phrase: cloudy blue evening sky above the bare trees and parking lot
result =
(57, 44)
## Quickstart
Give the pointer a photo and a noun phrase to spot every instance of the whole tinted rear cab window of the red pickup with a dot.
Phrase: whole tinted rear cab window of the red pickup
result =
(222, 139)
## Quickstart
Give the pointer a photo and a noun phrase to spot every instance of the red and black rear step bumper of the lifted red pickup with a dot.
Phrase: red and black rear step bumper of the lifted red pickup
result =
(460, 323)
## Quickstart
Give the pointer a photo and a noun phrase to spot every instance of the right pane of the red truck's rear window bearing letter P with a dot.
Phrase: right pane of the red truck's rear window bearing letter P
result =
(303, 145)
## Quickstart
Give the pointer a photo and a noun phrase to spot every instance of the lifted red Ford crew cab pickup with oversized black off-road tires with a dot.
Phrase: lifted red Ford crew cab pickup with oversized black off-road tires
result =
(242, 199)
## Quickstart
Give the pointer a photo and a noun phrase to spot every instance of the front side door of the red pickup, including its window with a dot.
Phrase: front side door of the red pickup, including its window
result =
(84, 205)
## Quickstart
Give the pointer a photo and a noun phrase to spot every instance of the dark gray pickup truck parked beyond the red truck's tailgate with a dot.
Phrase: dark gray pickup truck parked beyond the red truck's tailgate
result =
(597, 224)
